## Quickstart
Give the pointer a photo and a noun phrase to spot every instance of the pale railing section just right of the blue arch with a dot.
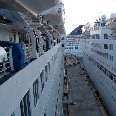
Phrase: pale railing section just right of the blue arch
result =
(28, 52)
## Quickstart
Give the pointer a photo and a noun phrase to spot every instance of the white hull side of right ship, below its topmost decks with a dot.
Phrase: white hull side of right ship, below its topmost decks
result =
(99, 70)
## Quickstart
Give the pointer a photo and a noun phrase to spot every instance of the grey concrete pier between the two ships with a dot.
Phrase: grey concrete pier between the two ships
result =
(81, 93)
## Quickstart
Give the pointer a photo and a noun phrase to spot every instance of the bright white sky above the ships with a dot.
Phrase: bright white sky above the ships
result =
(80, 12)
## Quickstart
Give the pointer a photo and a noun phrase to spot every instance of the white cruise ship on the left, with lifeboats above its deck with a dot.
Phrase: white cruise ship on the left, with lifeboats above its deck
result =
(31, 57)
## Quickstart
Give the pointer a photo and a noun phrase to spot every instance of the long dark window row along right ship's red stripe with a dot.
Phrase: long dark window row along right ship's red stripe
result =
(110, 75)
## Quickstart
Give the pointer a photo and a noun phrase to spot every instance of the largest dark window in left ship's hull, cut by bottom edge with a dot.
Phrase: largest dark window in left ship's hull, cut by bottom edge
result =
(25, 105)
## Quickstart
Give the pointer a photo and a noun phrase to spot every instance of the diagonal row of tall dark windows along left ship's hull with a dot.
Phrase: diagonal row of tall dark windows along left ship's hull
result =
(25, 102)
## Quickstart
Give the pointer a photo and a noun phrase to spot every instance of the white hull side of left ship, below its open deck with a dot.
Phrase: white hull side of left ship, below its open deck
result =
(46, 100)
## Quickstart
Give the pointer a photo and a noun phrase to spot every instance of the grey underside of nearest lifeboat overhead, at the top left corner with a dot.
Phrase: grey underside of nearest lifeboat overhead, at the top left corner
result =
(33, 7)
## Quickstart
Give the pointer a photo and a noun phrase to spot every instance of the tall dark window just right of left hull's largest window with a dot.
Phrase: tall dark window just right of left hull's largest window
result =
(36, 91)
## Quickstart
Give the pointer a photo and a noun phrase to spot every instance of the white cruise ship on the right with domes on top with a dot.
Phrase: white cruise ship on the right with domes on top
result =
(98, 44)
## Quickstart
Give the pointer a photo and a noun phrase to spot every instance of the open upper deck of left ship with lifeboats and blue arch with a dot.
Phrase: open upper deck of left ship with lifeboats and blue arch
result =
(25, 37)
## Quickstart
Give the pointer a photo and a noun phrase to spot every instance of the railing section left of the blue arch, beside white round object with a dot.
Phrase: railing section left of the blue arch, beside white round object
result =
(6, 66)
